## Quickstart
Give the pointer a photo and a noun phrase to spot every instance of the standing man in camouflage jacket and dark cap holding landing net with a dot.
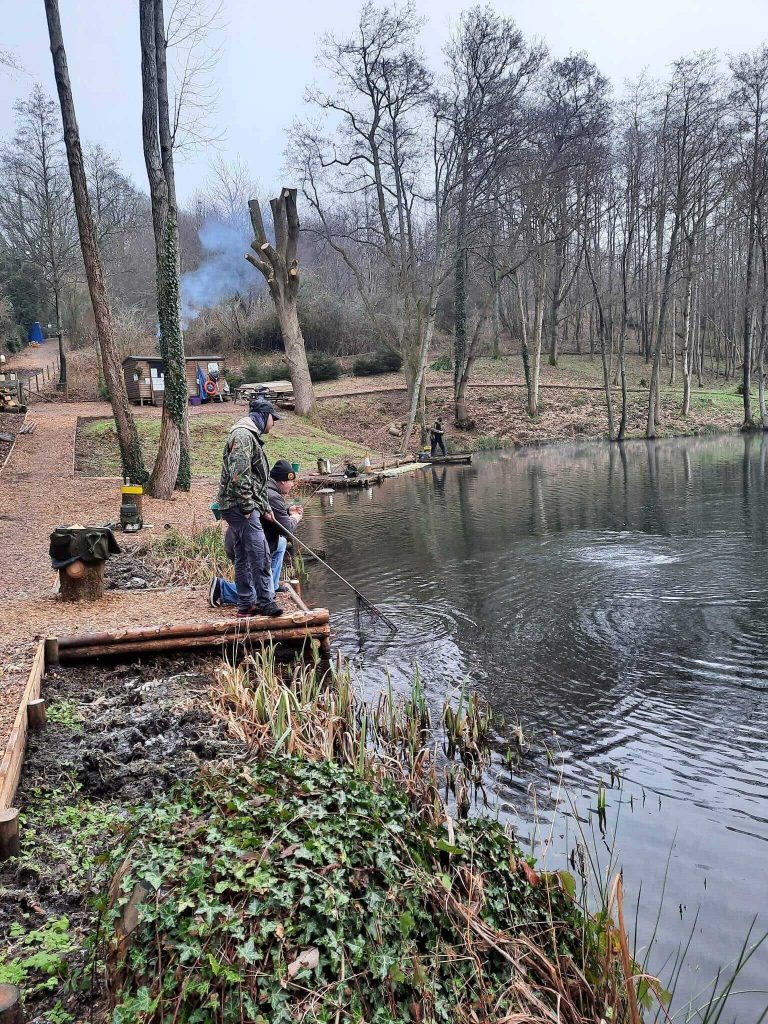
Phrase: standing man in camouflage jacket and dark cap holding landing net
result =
(243, 501)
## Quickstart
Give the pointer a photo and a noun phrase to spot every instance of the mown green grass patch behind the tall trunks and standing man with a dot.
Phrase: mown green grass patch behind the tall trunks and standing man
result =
(98, 453)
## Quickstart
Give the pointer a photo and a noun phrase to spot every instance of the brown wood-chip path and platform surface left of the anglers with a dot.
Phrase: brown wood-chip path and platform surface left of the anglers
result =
(38, 492)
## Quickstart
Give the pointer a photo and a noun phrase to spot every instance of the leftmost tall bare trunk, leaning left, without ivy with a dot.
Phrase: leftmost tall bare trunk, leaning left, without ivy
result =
(131, 450)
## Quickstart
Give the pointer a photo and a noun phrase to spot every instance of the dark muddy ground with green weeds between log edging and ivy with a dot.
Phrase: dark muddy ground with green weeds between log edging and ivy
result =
(117, 737)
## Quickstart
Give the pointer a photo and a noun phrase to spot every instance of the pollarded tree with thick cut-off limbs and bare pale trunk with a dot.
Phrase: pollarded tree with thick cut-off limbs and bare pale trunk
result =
(280, 266)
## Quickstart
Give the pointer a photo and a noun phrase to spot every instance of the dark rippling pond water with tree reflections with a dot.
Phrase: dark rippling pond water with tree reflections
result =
(613, 601)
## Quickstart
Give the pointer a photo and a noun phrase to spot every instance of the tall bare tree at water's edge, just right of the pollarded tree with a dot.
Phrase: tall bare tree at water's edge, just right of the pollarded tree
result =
(379, 183)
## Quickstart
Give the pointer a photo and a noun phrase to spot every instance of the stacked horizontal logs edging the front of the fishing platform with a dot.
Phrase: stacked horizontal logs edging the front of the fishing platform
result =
(219, 629)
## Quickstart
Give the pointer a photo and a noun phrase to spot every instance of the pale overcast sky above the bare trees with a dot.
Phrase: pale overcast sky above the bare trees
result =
(268, 60)
